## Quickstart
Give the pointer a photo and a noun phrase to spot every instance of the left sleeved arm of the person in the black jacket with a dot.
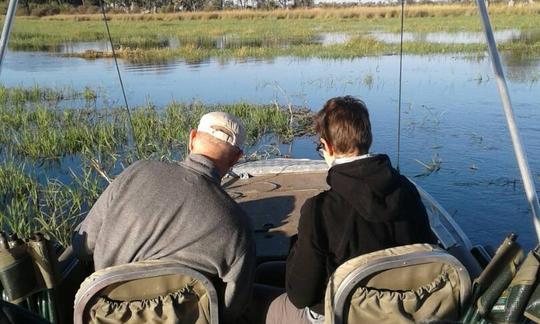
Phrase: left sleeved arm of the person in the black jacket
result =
(306, 264)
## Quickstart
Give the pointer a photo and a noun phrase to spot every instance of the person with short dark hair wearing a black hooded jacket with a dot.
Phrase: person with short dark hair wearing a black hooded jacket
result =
(369, 207)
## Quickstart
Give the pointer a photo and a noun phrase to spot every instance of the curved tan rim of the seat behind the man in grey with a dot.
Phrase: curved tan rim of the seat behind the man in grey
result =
(143, 271)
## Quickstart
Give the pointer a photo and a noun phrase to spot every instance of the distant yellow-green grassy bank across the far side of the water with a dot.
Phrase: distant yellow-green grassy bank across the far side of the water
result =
(240, 34)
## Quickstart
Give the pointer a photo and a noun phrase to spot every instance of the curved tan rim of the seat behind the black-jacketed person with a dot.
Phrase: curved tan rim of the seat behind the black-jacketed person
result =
(350, 283)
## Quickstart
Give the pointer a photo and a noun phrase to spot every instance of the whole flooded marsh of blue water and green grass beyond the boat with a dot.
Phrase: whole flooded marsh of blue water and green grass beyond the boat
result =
(60, 147)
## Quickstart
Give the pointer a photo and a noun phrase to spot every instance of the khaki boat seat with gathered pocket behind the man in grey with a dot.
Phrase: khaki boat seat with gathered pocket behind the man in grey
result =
(154, 291)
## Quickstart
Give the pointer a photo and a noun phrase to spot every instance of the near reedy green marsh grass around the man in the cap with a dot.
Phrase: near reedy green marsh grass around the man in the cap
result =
(55, 160)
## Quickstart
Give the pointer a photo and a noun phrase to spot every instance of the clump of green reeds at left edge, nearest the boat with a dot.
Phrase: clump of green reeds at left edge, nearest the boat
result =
(29, 205)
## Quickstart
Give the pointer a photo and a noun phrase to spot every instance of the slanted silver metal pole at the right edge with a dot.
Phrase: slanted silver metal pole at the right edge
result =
(521, 156)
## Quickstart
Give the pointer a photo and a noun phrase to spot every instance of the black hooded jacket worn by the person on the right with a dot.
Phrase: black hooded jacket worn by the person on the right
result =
(369, 207)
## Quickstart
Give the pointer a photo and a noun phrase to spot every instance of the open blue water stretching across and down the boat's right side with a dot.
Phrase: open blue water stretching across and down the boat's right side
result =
(451, 112)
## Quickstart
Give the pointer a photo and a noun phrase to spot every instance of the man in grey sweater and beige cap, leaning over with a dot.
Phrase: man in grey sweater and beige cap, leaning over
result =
(157, 210)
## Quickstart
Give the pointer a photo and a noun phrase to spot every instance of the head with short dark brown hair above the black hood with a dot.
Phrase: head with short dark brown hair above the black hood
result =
(344, 123)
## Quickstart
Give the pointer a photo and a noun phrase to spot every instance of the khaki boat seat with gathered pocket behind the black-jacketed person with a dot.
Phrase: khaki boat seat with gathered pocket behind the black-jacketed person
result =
(407, 284)
